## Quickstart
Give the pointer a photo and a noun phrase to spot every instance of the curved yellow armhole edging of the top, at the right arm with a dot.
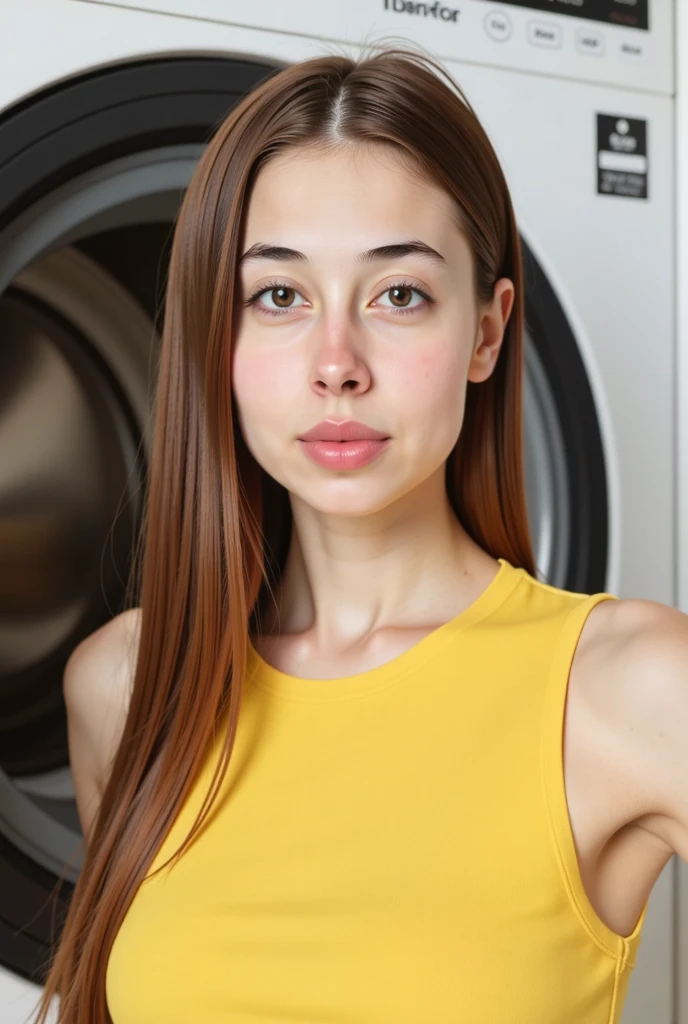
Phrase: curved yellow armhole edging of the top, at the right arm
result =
(621, 948)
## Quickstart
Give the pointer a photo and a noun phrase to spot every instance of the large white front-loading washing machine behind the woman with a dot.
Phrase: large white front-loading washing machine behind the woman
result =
(105, 110)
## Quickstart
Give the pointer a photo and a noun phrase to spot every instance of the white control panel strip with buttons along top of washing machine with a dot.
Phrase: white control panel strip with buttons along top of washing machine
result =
(616, 42)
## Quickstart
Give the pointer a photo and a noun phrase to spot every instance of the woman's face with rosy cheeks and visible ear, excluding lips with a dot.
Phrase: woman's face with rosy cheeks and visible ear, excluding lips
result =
(390, 342)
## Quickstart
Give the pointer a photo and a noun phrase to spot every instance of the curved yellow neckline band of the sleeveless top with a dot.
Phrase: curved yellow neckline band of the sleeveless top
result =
(267, 677)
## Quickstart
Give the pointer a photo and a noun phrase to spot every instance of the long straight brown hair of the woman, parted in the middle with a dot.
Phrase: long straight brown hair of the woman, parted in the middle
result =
(217, 527)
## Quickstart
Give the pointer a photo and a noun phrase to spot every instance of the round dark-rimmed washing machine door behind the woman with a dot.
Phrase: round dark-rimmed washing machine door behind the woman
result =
(92, 177)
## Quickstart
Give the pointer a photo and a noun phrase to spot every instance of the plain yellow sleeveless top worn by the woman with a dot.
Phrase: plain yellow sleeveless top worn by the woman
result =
(394, 846)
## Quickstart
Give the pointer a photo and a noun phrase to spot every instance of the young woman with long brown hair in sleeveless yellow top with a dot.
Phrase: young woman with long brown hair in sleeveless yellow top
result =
(451, 787)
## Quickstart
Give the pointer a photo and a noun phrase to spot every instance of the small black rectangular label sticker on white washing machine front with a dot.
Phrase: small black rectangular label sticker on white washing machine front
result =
(622, 156)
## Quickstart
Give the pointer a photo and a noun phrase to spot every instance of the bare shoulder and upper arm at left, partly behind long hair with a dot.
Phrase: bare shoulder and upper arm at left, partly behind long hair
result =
(97, 685)
